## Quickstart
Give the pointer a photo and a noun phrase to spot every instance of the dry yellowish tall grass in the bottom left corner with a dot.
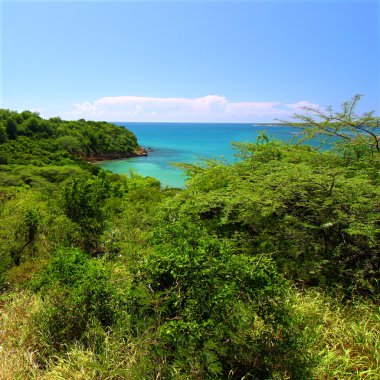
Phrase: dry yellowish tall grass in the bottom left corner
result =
(25, 355)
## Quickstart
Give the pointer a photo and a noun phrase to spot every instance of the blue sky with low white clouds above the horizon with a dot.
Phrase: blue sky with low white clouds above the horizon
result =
(241, 61)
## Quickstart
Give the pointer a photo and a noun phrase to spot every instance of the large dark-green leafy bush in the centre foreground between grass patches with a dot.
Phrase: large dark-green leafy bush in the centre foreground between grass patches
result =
(214, 313)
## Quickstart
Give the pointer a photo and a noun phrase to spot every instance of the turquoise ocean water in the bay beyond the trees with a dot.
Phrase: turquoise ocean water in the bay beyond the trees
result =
(190, 143)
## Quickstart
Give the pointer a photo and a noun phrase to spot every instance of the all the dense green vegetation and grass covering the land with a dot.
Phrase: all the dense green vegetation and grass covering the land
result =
(265, 269)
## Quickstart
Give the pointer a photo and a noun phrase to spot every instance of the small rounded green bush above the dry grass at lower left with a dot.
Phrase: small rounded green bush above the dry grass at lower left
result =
(78, 296)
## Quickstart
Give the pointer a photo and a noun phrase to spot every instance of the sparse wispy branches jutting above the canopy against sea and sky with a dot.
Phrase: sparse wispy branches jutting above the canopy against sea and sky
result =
(359, 133)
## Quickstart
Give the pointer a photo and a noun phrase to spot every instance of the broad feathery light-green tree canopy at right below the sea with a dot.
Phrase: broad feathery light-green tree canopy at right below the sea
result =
(317, 218)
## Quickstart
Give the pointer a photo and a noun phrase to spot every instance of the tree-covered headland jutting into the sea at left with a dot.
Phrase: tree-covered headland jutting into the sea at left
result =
(26, 138)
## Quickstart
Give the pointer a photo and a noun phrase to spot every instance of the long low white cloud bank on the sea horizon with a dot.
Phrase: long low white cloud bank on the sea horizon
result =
(210, 108)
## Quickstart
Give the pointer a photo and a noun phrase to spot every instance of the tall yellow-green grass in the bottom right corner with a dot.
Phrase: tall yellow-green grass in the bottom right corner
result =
(345, 339)
